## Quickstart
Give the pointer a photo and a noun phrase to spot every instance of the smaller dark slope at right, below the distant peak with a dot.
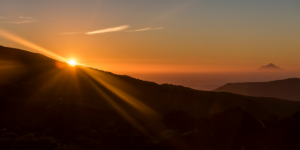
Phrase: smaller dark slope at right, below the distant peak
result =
(288, 89)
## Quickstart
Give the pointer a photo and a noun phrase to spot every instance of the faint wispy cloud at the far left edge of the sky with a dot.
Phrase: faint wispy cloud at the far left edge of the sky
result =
(18, 20)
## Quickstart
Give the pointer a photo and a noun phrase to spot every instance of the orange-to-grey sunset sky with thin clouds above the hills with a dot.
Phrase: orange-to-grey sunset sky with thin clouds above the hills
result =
(133, 36)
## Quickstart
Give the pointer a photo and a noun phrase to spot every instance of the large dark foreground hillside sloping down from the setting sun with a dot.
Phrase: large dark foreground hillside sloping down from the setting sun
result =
(46, 104)
